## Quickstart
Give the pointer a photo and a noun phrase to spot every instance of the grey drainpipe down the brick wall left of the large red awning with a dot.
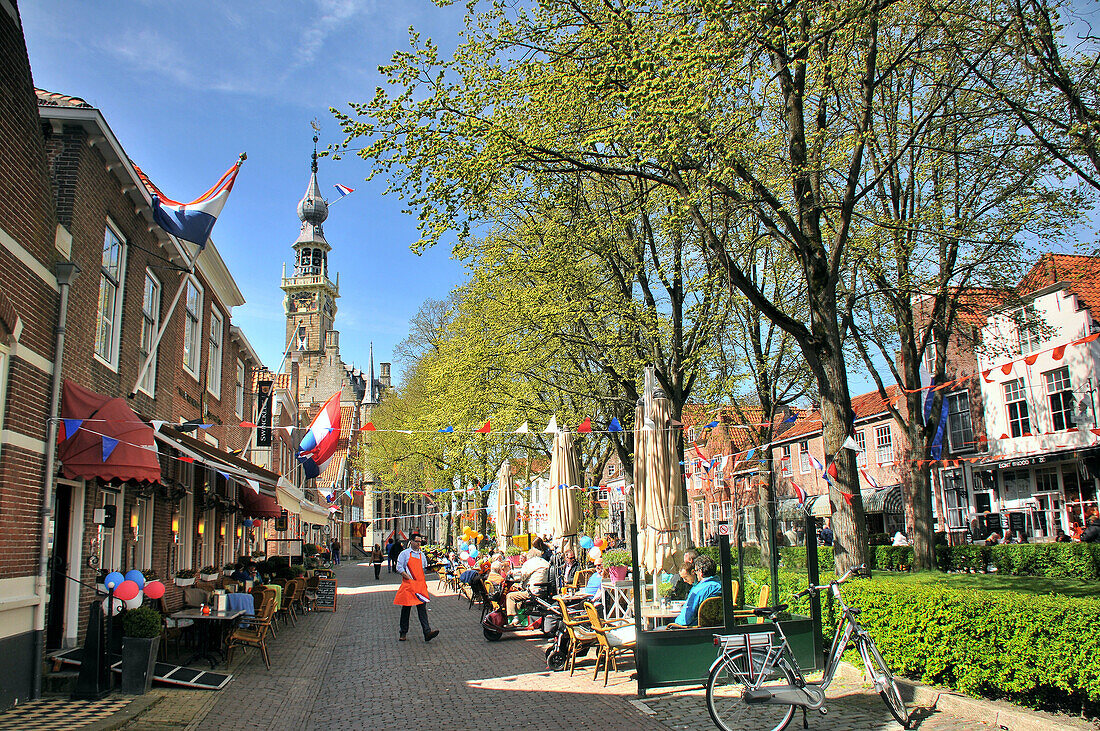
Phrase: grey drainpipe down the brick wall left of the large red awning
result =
(65, 272)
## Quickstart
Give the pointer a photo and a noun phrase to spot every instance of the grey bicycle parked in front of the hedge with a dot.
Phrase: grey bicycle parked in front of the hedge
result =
(756, 682)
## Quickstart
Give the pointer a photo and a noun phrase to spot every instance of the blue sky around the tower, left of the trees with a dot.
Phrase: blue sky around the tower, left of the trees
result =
(189, 86)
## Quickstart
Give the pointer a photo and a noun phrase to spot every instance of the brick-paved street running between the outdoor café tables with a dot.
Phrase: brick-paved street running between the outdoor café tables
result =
(348, 671)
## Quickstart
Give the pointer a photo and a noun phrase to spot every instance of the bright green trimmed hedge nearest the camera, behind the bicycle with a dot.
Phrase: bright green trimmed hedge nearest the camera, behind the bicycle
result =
(1042, 651)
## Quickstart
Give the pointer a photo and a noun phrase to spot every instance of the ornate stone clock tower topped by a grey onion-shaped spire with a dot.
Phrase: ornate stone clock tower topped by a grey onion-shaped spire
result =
(311, 301)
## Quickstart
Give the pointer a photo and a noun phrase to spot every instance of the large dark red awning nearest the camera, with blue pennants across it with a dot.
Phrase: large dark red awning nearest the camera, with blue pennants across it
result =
(107, 427)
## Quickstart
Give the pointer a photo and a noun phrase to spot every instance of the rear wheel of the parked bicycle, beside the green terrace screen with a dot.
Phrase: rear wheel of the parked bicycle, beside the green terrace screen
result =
(725, 691)
